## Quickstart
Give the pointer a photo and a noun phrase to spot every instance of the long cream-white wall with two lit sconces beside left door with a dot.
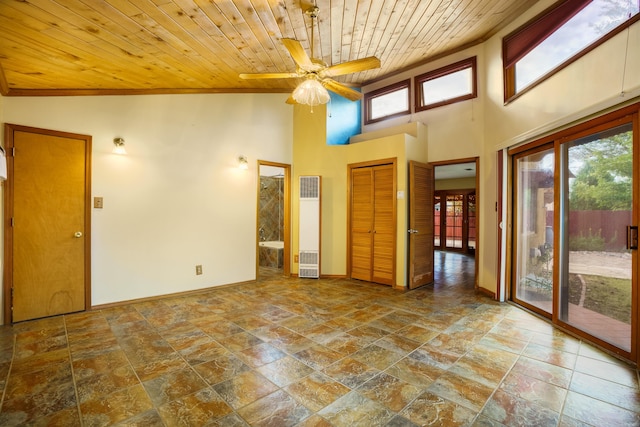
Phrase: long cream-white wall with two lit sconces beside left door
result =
(177, 198)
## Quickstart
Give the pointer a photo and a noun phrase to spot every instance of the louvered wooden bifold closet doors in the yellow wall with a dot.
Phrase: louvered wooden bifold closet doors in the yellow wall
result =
(373, 222)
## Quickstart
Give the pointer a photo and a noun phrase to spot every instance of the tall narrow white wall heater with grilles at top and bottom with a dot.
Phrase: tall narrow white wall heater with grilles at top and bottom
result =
(309, 227)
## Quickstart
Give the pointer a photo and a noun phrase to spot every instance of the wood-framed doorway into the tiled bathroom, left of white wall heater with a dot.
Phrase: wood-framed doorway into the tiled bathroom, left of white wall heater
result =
(273, 229)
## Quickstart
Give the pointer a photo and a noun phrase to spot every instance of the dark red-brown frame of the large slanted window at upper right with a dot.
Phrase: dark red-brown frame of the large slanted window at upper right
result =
(532, 27)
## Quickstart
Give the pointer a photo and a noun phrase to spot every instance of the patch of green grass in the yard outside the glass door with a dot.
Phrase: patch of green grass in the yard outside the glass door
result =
(605, 295)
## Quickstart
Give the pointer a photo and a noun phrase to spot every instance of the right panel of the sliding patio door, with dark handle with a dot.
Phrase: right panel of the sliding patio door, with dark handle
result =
(596, 265)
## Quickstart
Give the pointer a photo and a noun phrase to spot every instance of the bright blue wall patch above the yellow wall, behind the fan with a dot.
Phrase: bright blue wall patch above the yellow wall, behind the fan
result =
(343, 119)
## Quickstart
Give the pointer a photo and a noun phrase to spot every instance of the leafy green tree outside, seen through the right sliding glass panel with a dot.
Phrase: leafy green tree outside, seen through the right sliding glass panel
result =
(603, 179)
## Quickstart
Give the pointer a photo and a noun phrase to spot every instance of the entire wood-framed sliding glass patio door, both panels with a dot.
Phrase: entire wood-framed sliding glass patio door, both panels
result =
(575, 218)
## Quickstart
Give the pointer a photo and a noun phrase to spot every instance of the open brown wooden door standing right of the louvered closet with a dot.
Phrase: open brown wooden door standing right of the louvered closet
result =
(421, 200)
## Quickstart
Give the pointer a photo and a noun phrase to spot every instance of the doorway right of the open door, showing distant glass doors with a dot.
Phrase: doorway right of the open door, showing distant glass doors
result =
(455, 216)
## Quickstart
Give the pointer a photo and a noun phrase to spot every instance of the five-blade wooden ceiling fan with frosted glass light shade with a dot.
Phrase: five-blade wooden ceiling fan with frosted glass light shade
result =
(317, 74)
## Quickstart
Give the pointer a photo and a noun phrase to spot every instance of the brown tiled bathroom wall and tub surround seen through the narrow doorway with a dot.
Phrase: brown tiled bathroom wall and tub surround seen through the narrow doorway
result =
(271, 220)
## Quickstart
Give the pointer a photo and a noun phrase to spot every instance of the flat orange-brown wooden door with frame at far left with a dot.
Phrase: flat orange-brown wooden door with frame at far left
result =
(47, 223)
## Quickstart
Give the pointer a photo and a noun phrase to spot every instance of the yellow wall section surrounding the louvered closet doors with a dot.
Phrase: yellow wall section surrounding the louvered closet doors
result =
(312, 156)
